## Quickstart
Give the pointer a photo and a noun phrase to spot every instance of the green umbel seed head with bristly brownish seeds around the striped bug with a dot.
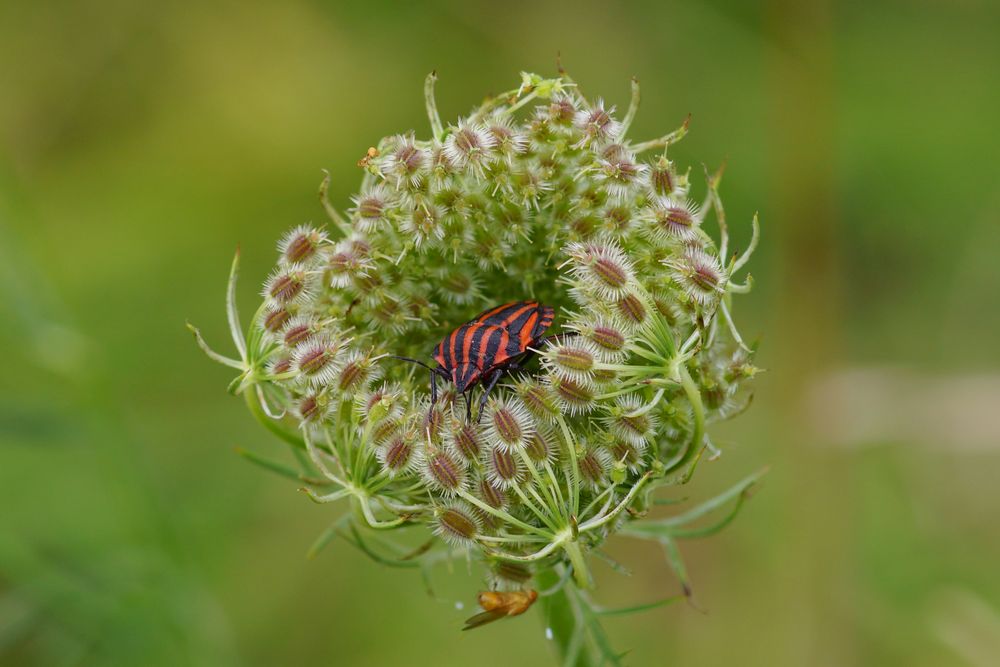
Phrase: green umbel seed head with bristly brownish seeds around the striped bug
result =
(537, 194)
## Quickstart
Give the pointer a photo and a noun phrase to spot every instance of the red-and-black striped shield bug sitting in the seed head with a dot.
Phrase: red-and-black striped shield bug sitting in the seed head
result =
(481, 351)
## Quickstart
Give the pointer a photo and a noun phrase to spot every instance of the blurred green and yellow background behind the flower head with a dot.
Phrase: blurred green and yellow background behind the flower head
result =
(141, 142)
